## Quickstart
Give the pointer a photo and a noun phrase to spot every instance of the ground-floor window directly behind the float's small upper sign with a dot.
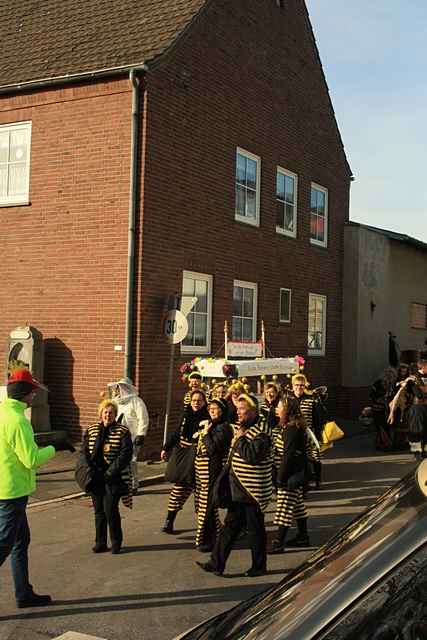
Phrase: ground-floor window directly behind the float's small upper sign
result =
(244, 311)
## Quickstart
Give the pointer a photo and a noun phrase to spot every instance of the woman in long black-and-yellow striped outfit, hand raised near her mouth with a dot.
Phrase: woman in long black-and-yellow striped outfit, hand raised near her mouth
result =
(212, 449)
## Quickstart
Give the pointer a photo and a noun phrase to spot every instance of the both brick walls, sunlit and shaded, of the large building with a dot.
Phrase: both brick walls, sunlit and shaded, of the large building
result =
(246, 75)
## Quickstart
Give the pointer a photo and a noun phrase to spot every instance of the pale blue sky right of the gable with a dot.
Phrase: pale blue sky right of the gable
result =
(374, 55)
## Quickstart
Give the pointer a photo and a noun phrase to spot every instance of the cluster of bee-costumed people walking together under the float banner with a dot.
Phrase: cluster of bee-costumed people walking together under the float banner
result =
(233, 453)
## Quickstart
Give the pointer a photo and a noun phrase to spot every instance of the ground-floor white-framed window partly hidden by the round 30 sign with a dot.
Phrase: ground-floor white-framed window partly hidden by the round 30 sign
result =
(198, 339)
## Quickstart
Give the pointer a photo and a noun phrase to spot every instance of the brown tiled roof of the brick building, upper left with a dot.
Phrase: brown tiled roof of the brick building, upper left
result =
(44, 39)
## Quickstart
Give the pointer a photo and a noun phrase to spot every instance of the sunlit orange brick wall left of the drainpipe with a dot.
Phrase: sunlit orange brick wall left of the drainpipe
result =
(65, 255)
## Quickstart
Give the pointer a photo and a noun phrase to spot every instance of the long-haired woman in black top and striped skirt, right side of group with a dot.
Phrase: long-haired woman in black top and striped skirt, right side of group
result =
(291, 461)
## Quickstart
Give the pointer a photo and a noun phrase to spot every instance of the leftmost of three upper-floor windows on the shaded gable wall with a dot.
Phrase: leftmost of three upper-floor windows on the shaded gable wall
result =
(248, 169)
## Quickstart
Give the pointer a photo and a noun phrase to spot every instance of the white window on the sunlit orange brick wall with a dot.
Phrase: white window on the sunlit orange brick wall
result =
(15, 163)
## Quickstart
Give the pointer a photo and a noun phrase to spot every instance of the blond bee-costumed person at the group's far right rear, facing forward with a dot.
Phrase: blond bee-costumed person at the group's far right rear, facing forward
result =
(310, 411)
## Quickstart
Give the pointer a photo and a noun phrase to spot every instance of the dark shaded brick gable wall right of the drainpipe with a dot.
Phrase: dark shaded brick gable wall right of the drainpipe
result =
(247, 75)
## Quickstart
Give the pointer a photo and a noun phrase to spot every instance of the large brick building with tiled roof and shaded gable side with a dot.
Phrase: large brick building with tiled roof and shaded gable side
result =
(204, 131)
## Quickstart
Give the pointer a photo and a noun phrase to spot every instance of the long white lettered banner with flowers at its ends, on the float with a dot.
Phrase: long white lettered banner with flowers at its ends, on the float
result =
(213, 367)
